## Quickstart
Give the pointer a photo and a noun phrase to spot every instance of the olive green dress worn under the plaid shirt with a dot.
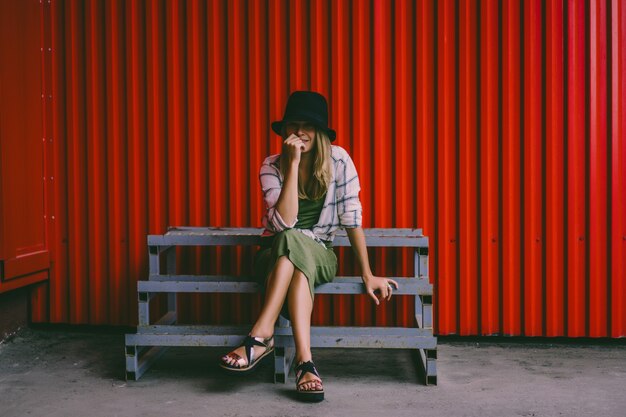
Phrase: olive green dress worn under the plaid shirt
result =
(318, 264)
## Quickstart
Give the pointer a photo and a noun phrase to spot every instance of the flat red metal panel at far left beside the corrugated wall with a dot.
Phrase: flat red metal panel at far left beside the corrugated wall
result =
(24, 178)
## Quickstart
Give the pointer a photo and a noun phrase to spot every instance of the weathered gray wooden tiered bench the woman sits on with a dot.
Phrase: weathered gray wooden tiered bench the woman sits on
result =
(151, 339)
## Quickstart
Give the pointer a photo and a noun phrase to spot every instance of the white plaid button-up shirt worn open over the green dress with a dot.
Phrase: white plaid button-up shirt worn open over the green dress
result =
(341, 209)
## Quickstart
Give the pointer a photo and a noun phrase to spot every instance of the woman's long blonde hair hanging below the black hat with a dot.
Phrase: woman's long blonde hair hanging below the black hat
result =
(322, 168)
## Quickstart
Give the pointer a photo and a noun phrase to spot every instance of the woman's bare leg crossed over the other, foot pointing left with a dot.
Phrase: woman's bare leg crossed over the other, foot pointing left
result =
(276, 291)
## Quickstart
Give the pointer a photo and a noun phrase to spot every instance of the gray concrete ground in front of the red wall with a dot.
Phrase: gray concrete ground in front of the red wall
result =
(70, 373)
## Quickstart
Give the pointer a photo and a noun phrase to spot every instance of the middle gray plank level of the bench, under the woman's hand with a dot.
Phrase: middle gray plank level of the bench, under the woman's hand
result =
(225, 284)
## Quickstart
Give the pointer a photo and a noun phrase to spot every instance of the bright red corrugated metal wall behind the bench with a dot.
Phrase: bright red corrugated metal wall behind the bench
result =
(498, 127)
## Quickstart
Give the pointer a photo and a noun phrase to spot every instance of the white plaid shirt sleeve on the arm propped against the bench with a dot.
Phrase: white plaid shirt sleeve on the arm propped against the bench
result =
(349, 207)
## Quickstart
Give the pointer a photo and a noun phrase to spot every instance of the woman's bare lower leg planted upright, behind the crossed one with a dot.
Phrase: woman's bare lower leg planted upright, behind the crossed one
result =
(300, 309)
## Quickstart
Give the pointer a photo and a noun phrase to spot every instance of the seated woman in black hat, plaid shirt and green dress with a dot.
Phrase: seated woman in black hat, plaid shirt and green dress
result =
(310, 190)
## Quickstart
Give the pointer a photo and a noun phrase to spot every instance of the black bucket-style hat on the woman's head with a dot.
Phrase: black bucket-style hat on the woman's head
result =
(307, 106)
